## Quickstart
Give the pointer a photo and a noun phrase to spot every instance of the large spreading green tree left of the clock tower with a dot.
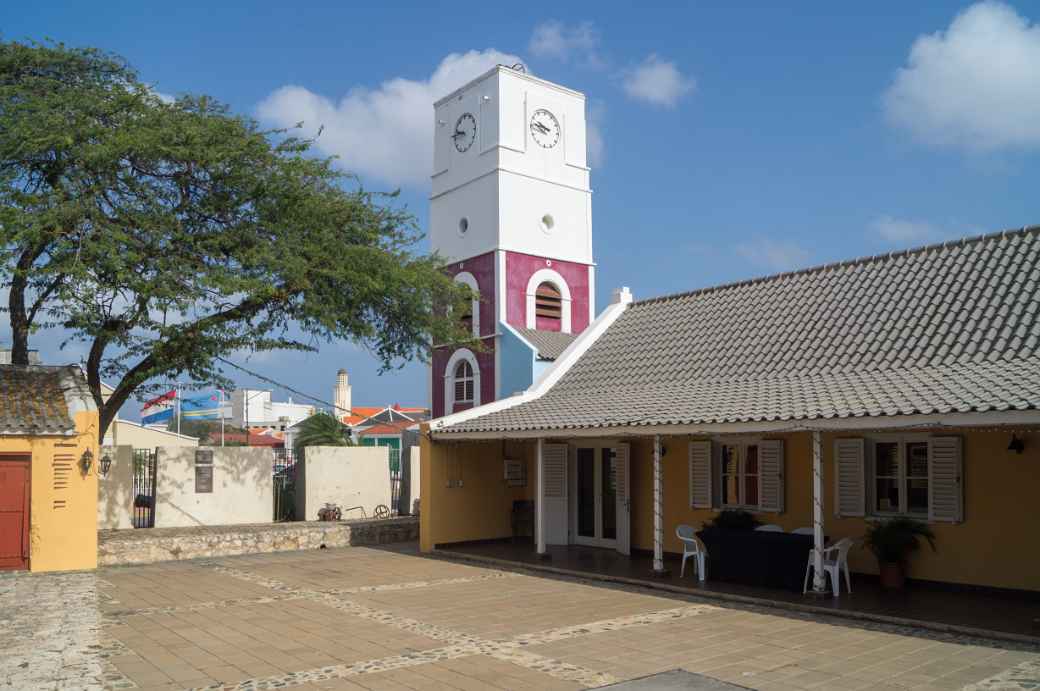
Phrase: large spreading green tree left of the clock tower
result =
(167, 237)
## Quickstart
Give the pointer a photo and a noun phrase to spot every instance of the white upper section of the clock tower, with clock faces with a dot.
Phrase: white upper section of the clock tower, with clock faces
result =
(510, 170)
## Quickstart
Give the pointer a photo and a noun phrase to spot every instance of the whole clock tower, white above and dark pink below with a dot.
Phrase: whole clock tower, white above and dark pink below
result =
(511, 210)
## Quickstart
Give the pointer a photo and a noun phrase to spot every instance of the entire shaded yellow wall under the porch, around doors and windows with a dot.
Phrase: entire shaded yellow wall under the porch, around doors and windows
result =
(994, 547)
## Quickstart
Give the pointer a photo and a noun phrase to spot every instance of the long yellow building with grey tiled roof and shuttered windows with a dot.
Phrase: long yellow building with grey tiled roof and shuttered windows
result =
(823, 401)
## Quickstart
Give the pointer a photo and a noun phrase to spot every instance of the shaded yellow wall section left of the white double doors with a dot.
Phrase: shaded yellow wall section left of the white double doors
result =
(481, 509)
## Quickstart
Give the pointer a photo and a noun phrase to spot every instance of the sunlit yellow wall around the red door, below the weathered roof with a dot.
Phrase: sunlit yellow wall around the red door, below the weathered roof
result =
(62, 538)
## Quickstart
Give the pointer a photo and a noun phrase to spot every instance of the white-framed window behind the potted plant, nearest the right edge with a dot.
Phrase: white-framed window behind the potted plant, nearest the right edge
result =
(900, 479)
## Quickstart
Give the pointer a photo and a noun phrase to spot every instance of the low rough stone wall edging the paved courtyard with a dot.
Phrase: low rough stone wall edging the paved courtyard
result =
(157, 545)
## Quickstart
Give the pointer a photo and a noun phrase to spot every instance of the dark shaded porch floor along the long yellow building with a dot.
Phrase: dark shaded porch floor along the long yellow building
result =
(958, 611)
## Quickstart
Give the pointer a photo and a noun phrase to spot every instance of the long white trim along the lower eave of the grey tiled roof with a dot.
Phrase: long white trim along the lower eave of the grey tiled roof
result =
(996, 419)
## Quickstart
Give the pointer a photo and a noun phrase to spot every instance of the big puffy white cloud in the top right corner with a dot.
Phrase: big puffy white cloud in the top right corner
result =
(974, 87)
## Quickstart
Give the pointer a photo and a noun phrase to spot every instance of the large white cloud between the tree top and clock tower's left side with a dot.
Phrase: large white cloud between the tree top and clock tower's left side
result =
(386, 133)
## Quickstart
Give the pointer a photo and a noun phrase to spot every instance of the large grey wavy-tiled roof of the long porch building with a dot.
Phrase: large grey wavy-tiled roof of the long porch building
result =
(947, 328)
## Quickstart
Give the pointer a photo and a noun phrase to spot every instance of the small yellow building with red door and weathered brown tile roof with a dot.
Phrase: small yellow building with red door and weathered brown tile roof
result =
(48, 470)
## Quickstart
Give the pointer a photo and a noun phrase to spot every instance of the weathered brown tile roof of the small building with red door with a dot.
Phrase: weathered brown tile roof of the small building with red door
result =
(39, 400)
